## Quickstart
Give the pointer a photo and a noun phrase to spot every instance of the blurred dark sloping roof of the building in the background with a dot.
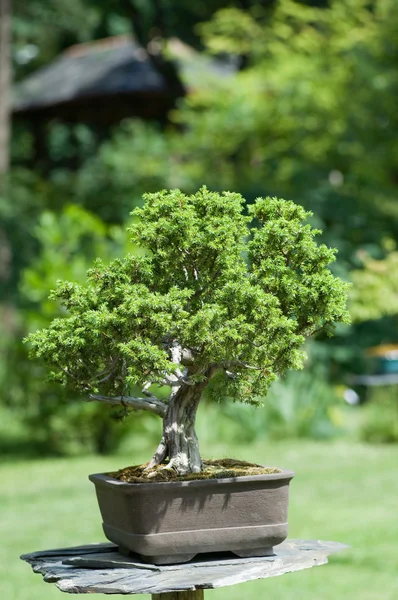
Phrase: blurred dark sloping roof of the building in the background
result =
(107, 80)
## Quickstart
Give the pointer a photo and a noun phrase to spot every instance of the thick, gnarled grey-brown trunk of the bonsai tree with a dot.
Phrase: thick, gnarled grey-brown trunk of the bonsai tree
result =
(179, 441)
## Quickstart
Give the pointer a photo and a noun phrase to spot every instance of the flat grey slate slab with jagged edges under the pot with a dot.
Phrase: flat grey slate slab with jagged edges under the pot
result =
(100, 569)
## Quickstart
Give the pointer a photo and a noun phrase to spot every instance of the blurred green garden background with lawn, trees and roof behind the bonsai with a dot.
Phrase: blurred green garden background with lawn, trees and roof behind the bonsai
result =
(102, 101)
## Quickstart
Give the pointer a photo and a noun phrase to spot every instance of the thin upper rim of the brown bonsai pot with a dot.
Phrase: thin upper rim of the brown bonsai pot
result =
(104, 479)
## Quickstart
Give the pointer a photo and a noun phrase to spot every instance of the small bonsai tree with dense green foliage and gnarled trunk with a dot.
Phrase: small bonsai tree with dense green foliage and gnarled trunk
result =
(214, 294)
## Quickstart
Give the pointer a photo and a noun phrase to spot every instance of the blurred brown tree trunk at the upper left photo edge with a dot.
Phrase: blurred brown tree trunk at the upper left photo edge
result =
(5, 83)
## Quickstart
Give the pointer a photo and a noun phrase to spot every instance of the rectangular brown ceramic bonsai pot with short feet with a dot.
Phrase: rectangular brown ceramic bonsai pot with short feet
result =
(171, 522)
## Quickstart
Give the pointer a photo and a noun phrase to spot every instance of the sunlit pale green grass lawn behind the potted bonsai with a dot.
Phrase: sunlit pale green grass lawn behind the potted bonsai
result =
(343, 491)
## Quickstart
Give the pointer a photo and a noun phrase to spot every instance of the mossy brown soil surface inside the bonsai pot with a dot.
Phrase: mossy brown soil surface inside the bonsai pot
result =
(212, 469)
